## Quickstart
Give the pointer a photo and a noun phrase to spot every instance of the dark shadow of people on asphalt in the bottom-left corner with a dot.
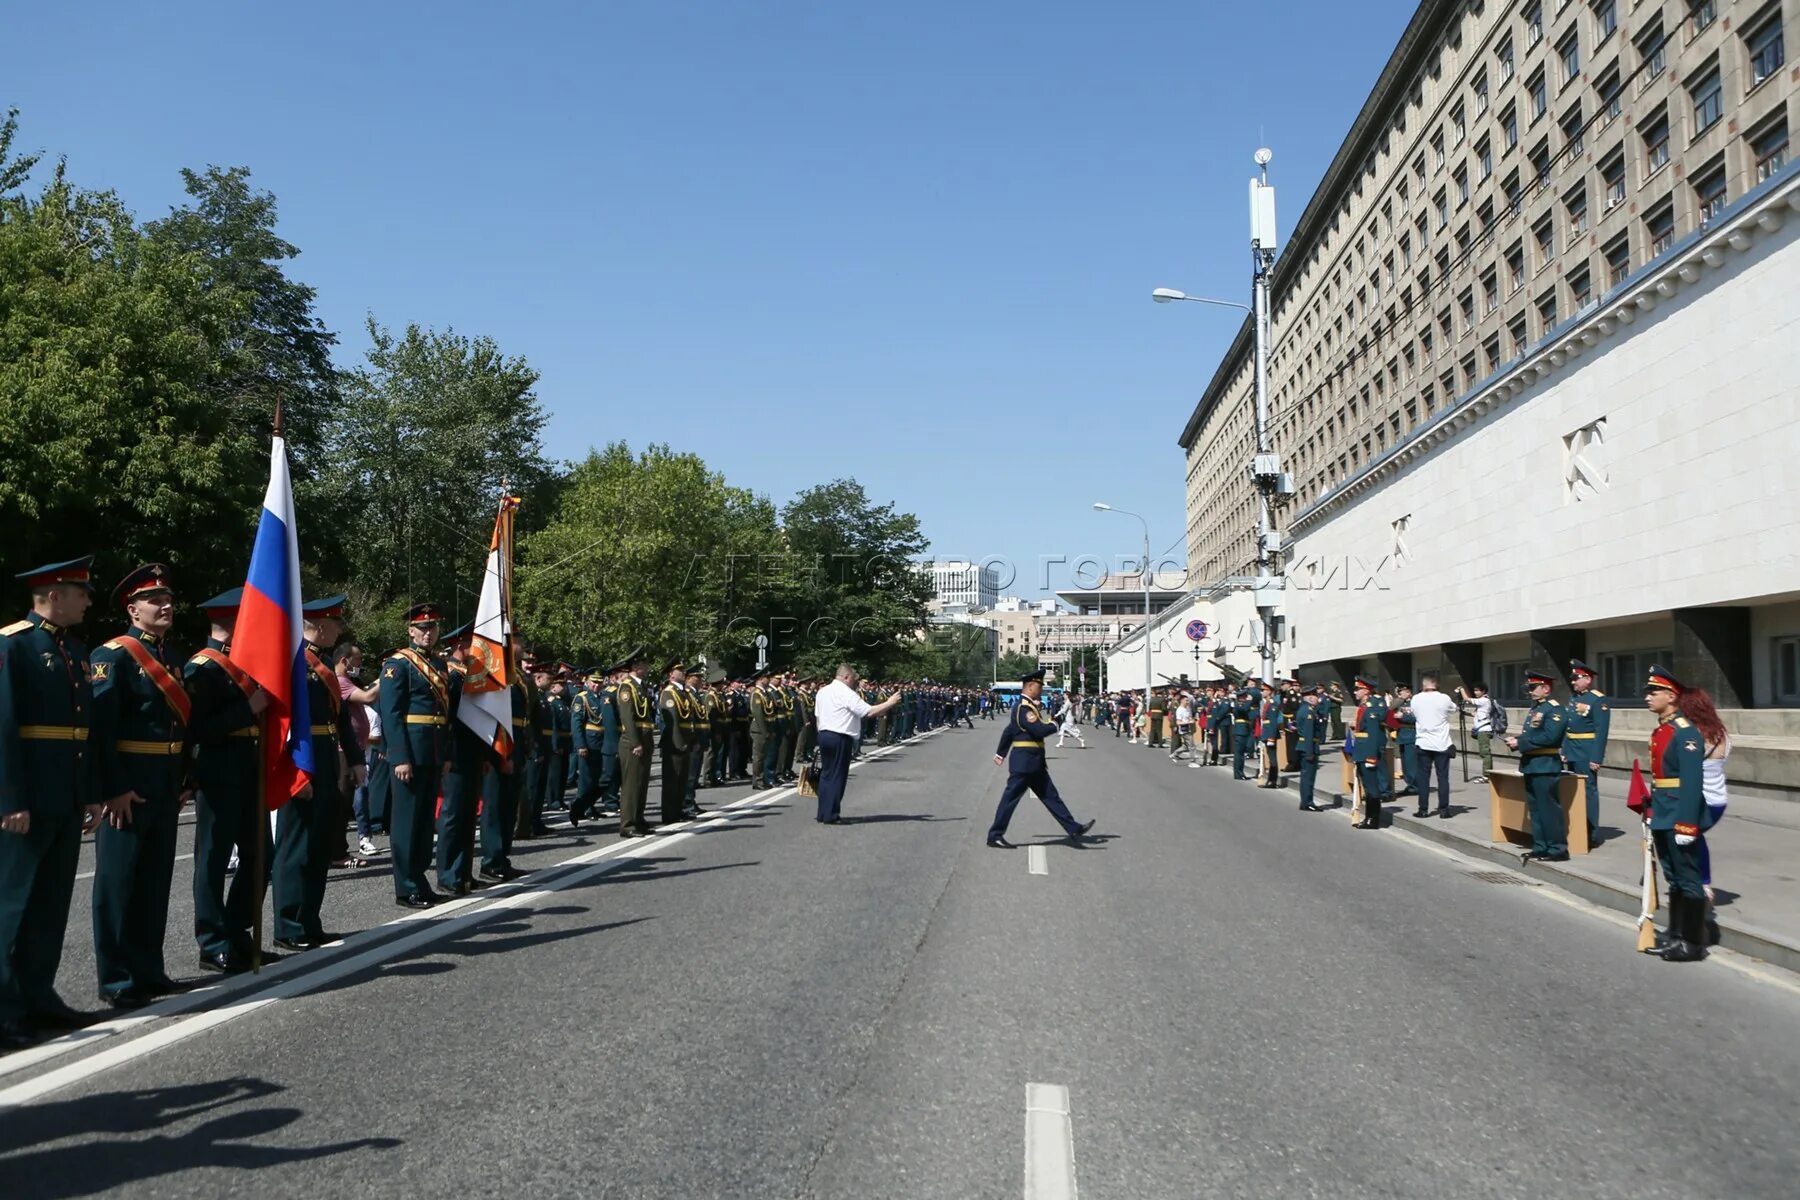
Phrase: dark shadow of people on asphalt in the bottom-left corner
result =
(123, 1142)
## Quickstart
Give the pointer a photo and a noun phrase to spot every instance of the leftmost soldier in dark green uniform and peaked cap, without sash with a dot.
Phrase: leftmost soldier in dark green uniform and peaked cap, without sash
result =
(48, 796)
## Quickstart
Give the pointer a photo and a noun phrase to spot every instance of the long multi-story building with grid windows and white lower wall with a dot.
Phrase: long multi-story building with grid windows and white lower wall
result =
(1536, 352)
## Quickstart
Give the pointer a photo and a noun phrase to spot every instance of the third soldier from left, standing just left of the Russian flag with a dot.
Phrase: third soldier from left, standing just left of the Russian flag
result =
(228, 812)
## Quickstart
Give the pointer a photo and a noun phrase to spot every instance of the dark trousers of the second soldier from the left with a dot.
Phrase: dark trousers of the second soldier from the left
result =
(132, 877)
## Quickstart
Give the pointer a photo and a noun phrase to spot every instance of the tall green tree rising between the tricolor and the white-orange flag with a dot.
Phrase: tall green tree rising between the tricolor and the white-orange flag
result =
(415, 456)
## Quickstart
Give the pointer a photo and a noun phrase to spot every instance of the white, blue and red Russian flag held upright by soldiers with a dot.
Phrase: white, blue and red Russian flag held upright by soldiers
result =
(269, 641)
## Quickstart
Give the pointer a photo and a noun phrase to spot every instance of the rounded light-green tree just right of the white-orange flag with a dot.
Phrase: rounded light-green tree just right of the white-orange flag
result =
(651, 550)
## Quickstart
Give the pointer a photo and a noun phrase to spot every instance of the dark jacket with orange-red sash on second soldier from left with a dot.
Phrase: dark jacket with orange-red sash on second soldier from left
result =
(139, 722)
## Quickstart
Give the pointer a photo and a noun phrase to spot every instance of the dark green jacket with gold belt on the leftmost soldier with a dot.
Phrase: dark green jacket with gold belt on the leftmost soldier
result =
(46, 703)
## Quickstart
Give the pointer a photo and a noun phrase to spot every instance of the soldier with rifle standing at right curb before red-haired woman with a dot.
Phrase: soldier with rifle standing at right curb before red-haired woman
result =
(1678, 810)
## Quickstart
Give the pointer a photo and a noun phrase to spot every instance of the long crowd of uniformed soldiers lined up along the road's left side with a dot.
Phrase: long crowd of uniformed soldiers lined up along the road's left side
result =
(118, 742)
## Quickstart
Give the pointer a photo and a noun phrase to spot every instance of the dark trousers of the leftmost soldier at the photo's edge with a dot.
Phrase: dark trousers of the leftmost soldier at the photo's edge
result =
(37, 882)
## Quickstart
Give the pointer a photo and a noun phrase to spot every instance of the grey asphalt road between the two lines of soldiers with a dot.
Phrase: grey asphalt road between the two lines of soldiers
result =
(1236, 999)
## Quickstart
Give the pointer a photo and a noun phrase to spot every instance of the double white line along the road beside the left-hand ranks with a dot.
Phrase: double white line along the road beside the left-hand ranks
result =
(301, 974)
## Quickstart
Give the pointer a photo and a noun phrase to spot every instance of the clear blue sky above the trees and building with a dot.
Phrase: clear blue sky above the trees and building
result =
(910, 244)
